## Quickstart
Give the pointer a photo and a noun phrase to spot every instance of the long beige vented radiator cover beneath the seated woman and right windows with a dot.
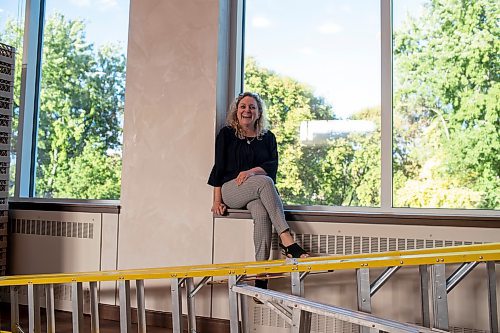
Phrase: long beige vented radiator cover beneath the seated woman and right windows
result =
(398, 299)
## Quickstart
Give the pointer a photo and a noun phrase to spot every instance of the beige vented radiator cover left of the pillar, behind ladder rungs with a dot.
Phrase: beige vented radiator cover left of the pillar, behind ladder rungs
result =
(63, 242)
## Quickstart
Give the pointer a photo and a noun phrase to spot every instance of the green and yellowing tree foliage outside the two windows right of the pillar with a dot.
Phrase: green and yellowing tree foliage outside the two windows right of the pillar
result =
(446, 120)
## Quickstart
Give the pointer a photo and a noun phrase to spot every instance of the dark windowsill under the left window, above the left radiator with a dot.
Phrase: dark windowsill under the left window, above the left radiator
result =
(66, 205)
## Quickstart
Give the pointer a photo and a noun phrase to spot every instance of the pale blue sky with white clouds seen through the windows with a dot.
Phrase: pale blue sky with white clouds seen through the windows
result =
(331, 45)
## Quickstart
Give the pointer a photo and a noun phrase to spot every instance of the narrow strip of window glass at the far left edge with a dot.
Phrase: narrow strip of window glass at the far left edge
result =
(11, 33)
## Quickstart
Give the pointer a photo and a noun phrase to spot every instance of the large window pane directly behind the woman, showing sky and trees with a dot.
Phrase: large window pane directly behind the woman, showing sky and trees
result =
(317, 67)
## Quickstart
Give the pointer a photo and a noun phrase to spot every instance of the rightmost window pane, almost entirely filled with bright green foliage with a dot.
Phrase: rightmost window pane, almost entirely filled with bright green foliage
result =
(446, 109)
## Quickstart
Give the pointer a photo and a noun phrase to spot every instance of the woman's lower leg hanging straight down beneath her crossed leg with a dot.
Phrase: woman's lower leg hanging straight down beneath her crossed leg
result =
(262, 230)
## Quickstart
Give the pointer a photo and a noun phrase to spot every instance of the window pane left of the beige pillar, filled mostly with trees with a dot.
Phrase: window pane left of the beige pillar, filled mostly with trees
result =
(81, 99)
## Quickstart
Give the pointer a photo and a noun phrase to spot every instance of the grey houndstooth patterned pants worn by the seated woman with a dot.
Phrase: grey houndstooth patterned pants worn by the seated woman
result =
(258, 194)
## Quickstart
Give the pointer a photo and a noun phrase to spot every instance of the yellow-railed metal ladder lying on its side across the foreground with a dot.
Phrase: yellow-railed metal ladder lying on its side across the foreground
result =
(431, 263)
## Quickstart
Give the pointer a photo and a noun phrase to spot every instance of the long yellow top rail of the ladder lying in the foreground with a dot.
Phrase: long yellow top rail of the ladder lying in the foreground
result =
(445, 255)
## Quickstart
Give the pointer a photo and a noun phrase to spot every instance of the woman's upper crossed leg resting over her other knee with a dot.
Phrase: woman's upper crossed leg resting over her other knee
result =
(257, 187)
